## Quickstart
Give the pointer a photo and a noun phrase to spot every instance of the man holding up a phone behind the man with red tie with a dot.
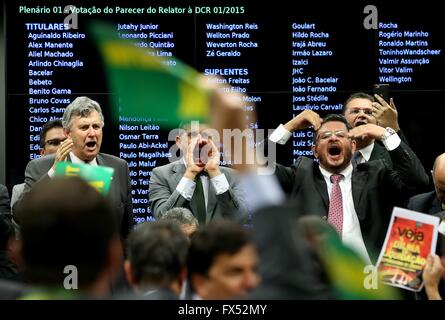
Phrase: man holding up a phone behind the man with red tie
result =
(361, 108)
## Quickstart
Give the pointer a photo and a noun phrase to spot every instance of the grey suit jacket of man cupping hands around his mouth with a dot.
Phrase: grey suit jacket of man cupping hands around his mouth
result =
(164, 196)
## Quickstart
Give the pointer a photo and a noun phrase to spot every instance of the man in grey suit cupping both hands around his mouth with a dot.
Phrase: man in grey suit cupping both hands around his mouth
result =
(176, 184)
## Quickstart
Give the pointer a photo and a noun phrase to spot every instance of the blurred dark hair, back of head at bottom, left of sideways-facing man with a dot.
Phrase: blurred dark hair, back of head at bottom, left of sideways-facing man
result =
(157, 252)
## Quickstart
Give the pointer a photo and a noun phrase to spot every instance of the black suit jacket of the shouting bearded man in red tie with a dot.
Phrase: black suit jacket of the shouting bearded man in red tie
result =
(376, 188)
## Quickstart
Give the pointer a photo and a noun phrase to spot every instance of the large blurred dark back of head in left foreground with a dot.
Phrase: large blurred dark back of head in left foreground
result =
(64, 221)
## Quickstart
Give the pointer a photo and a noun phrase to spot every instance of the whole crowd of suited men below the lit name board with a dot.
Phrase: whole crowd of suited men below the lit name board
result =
(218, 233)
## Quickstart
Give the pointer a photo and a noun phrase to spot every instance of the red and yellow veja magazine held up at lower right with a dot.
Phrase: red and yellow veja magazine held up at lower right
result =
(410, 238)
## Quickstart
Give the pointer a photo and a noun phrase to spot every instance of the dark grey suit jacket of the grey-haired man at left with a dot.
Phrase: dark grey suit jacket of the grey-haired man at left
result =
(119, 195)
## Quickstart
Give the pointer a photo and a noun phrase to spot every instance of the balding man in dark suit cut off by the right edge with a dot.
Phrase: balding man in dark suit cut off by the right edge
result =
(432, 202)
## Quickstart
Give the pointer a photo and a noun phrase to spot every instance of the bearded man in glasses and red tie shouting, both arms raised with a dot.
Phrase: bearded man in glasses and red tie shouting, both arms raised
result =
(368, 192)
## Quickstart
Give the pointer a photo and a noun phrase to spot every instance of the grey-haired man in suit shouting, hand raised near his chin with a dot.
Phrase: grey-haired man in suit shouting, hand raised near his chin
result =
(82, 124)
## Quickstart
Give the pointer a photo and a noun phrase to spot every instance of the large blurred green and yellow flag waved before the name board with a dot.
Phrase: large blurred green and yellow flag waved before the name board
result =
(147, 85)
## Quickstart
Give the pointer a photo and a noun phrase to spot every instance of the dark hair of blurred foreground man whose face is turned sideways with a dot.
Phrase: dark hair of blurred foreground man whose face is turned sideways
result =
(218, 237)
